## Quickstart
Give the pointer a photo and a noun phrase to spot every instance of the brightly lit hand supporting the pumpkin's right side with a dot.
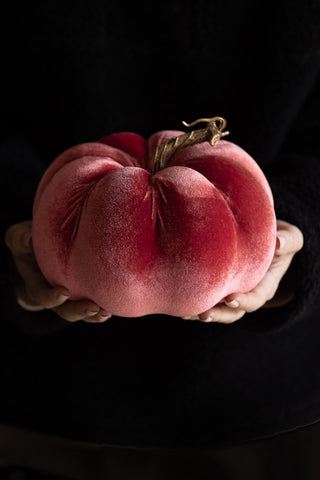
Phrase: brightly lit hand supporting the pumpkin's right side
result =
(236, 305)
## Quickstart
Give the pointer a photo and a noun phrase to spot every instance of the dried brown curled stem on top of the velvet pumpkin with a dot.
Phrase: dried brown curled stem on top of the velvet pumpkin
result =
(211, 133)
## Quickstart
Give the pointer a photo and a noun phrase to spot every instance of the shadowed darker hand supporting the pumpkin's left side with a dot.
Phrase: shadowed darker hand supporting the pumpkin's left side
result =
(33, 291)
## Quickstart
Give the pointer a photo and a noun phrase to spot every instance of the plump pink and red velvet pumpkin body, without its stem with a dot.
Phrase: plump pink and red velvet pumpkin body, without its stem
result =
(176, 241)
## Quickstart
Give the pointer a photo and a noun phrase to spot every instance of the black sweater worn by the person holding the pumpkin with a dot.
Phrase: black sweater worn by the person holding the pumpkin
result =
(77, 72)
